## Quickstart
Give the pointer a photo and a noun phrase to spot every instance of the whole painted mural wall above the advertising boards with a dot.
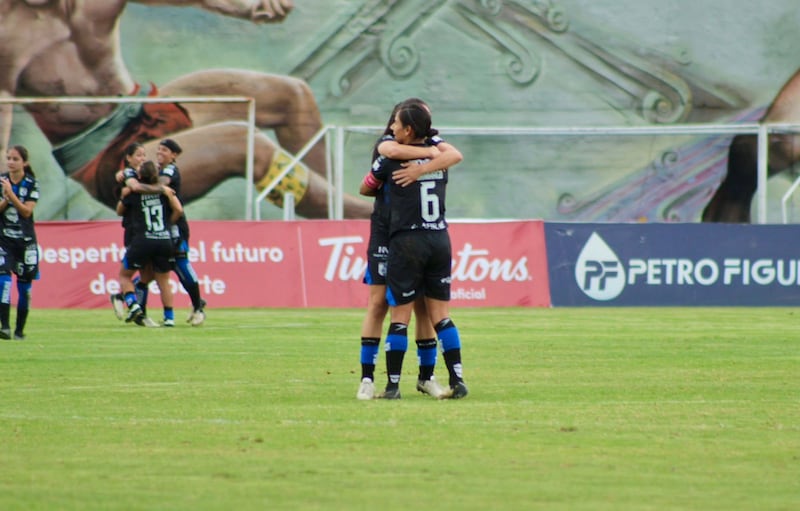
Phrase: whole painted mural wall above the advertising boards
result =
(488, 68)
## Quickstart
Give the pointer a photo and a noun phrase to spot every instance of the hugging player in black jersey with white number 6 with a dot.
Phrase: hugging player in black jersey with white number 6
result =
(420, 254)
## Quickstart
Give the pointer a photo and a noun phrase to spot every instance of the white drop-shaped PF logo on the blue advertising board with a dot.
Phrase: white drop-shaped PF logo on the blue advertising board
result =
(598, 271)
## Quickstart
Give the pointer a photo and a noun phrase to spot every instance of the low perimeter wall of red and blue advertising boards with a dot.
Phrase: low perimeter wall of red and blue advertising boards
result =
(319, 263)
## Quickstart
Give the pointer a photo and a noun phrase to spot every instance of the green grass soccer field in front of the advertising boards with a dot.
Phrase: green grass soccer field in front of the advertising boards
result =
(569, 409)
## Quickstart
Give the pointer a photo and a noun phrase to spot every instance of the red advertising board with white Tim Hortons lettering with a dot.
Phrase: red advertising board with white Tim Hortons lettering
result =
(306, 263)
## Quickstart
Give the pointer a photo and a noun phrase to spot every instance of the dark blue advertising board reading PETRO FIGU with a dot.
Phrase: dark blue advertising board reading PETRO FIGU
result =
(673, 264)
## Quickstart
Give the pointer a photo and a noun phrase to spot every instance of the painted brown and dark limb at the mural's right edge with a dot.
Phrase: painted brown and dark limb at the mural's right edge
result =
(733, 199)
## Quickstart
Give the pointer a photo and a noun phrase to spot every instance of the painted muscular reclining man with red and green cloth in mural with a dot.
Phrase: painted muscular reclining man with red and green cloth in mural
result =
(72, 48)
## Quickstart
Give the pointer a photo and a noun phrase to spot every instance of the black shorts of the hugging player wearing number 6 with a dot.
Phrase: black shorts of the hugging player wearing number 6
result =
(419, 265)
